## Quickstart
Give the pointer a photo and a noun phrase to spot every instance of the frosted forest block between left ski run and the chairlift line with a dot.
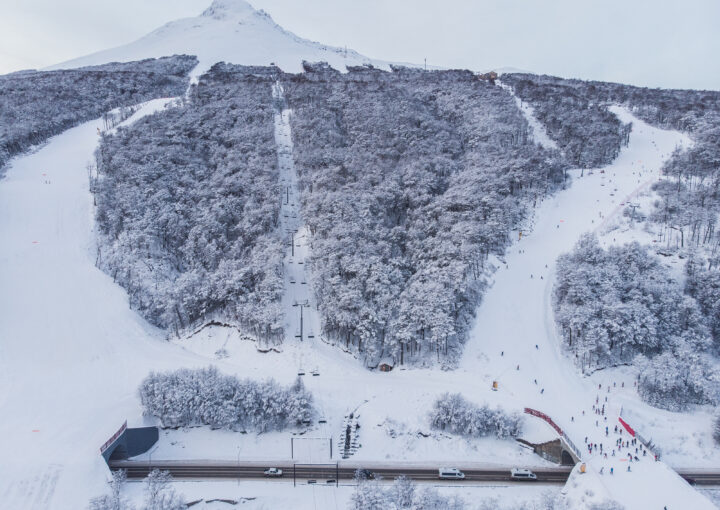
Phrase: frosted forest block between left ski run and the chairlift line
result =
(188, 204)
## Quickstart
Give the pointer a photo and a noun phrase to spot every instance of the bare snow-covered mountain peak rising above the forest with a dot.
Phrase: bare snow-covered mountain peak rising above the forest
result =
(231, 31)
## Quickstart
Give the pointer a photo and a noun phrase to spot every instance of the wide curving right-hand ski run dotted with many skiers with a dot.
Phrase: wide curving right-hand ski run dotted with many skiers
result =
(514, 340)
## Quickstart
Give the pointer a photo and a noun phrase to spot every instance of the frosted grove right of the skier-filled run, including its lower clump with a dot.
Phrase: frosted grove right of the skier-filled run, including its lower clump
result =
(621, 305)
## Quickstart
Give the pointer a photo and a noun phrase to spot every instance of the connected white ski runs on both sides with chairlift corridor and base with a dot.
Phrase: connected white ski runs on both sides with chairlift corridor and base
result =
(72, 352)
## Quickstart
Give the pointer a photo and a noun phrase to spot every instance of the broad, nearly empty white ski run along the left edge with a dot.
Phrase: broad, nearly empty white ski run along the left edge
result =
(72, 353)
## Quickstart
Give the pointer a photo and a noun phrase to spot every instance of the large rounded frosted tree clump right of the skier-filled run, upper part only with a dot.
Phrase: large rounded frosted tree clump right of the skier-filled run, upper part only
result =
(614, 304)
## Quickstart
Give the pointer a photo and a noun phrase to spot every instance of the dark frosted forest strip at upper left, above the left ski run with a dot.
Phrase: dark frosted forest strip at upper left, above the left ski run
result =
(37, 105)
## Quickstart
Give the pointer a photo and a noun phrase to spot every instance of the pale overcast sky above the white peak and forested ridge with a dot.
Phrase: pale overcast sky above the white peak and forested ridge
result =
(666, 43)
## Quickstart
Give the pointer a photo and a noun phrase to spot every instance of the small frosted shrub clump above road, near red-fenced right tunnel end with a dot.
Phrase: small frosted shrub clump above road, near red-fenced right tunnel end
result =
(455, 414)
